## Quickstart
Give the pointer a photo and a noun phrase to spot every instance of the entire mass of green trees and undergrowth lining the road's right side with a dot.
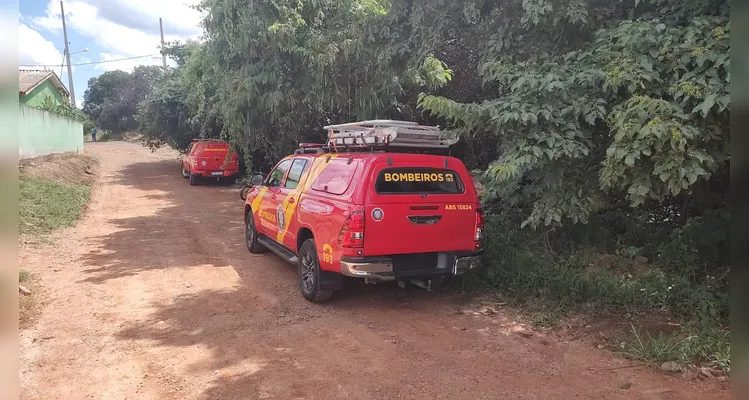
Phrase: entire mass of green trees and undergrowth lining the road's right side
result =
(598, 130)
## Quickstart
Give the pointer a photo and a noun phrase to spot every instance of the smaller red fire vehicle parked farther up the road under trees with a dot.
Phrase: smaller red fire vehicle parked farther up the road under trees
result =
(207, 158)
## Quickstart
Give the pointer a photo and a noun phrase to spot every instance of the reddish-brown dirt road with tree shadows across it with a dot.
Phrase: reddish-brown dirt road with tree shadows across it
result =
(154, 296)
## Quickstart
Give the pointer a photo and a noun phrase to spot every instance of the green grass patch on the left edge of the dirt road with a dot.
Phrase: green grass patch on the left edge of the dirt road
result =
(46, 205)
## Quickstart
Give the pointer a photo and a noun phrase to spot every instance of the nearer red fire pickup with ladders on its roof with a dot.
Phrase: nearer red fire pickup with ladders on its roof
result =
(360, 206)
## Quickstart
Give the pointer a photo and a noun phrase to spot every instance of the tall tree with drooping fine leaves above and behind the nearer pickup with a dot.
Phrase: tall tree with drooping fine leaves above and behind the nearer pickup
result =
(293, 67)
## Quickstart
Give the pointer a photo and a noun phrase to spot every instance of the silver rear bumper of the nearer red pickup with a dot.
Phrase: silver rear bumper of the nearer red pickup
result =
(386, 269)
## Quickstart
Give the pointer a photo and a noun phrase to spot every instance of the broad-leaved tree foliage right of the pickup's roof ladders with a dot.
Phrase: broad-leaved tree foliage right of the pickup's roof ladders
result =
(642, 106)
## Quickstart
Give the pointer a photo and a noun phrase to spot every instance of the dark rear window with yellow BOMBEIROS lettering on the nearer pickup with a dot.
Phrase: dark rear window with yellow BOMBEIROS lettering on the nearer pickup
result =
(418, 180)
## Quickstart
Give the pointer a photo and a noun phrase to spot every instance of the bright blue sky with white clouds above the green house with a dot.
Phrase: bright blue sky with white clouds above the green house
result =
(107, 29)
